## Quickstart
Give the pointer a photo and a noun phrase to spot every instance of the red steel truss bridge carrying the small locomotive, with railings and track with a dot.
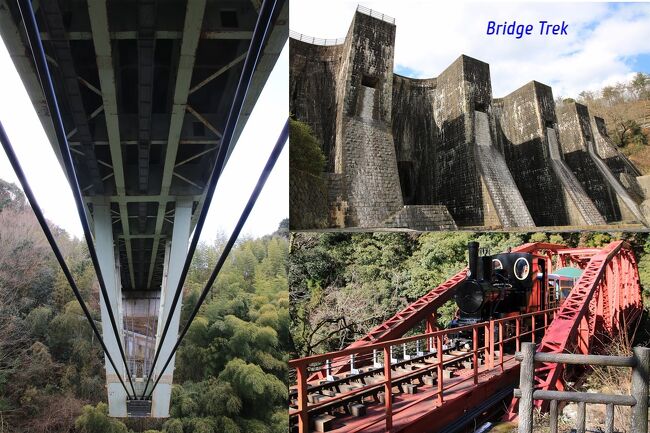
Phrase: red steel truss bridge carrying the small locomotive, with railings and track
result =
(434, 388)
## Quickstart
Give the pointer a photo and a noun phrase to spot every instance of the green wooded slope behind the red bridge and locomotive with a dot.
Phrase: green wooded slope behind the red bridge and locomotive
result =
(342, 285)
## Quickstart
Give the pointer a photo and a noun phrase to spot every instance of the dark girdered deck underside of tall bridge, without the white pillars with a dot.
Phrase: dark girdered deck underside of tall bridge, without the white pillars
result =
(144, 89)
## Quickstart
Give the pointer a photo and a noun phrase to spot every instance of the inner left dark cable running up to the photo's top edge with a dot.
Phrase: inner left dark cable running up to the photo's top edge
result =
(42, 70)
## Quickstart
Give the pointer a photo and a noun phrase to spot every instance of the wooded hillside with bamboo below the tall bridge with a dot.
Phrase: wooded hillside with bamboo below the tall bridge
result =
(230, 370)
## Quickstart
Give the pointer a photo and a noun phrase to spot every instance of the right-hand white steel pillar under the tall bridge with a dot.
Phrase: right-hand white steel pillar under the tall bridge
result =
(175, 253)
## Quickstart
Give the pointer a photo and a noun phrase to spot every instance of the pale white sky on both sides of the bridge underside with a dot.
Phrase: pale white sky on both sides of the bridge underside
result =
(53, 193)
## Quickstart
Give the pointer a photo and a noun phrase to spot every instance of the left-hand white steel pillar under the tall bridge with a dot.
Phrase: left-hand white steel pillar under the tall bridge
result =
(106, 253)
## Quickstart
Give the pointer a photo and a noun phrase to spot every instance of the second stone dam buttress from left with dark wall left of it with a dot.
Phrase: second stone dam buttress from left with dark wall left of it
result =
(439, 158)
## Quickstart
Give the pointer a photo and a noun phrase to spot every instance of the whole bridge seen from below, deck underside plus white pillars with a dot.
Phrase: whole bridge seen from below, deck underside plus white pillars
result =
(144, 89)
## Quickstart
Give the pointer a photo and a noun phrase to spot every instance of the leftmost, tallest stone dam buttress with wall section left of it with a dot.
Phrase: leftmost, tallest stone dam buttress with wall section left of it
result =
(351, 114)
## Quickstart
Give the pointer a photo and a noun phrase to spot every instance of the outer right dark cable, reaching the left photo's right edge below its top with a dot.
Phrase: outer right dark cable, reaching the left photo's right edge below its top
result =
(277, 149)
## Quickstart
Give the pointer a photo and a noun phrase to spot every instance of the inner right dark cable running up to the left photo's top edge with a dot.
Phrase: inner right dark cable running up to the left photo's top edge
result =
(268, 12)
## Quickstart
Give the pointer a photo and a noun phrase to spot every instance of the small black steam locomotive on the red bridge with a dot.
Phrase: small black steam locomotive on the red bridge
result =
(503, 285)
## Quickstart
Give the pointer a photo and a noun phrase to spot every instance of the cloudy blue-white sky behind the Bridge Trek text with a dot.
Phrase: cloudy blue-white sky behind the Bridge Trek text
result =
(606, 42)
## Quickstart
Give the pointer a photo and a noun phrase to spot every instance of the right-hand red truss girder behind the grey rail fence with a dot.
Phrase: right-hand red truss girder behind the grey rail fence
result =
(607, 292)
